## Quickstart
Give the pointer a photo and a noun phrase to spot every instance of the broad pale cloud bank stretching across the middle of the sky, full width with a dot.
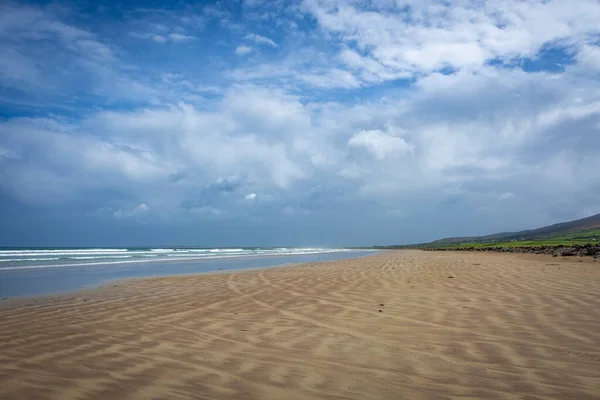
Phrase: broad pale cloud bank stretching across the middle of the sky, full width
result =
(450, 130)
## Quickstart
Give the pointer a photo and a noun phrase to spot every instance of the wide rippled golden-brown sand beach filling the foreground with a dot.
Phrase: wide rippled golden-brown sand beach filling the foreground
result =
(504, 327)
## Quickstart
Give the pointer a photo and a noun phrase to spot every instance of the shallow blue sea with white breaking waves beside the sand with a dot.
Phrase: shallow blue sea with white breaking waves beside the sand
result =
(27, 271)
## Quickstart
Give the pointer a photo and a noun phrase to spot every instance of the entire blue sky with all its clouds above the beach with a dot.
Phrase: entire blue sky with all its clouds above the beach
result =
(316, 122)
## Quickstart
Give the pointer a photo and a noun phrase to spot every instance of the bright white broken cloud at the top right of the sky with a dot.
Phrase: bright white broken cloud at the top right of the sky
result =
(416, 38)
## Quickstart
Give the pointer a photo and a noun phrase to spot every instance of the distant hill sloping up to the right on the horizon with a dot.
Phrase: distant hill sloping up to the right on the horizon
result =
(571, 229)
